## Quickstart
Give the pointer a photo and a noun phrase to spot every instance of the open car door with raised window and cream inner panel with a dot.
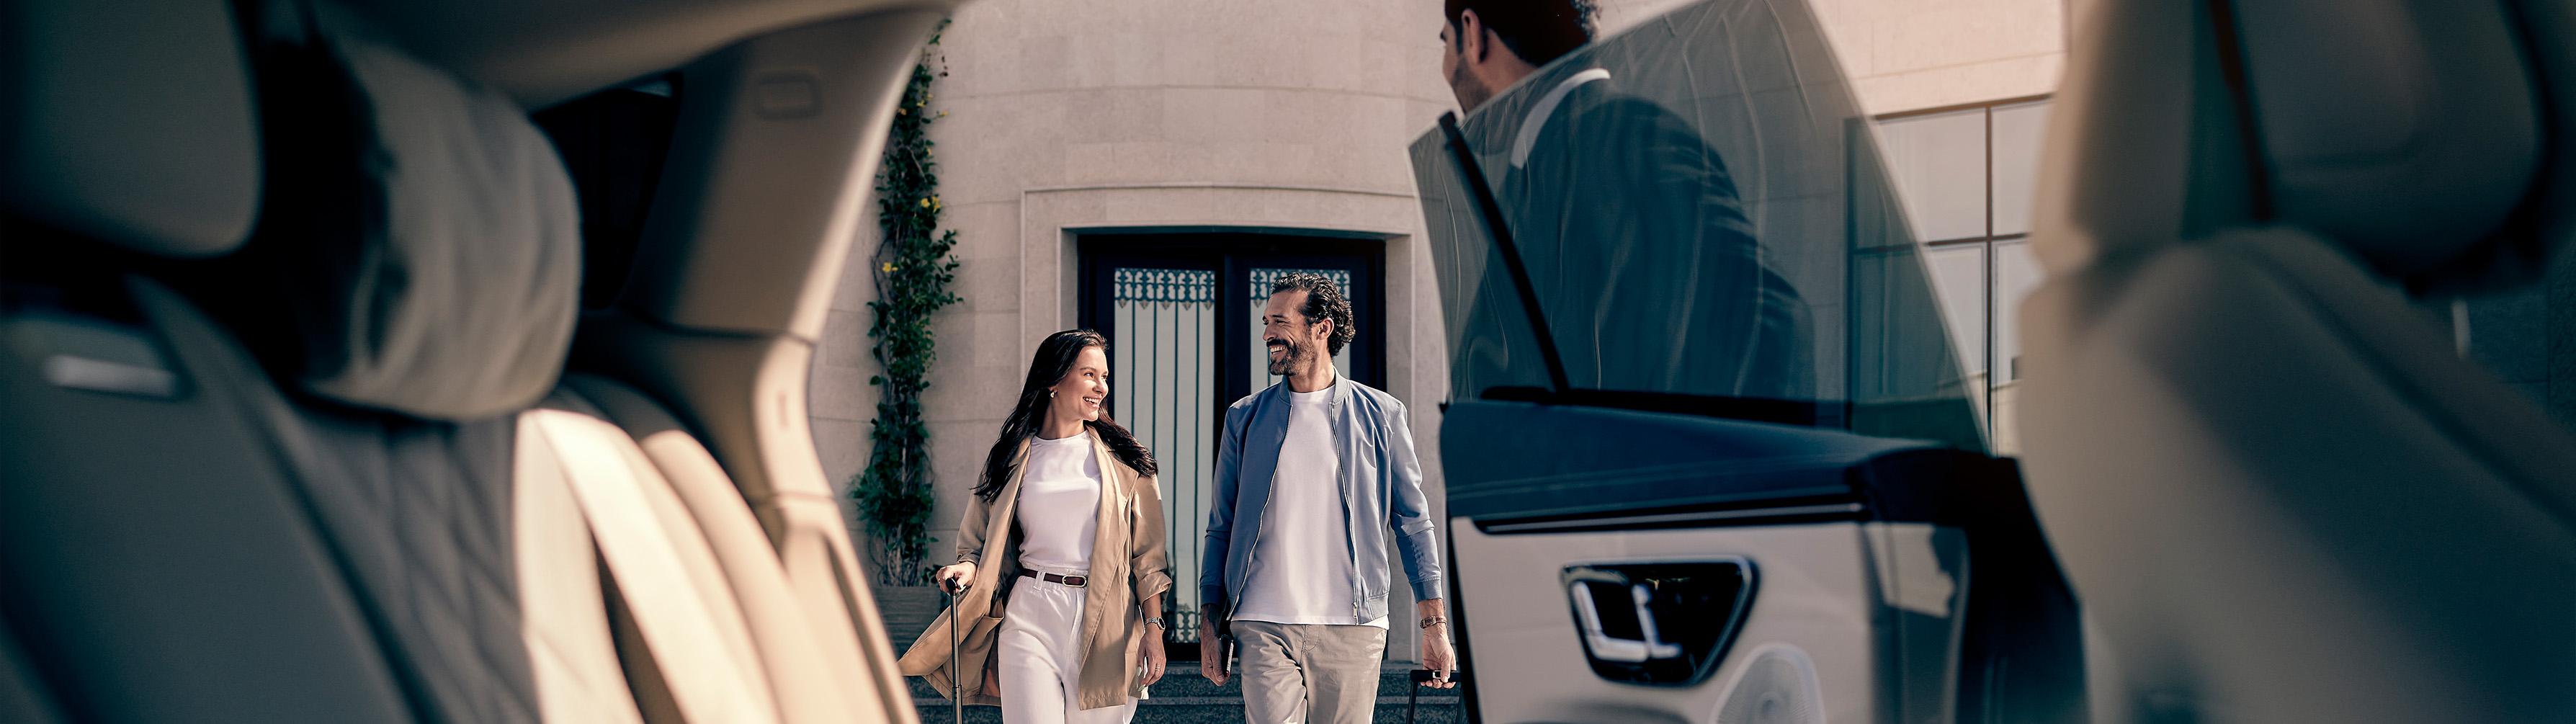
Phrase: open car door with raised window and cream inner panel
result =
(1712, 455)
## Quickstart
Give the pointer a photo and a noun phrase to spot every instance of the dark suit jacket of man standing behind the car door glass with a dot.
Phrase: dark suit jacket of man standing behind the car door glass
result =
(1645, 262)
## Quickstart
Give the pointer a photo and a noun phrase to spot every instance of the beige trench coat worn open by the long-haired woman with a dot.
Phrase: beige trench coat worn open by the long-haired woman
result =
(1112, 625)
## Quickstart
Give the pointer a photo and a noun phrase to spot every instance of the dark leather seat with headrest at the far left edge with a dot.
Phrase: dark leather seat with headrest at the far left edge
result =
(156, 560)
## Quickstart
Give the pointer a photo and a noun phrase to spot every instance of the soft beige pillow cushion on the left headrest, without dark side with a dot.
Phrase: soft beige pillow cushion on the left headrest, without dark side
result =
(465, 303)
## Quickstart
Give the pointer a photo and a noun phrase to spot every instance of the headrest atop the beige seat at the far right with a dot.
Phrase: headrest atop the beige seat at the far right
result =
(2410, 133)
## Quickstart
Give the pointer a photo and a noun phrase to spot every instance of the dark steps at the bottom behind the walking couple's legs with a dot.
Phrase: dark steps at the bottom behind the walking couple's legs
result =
(1184, 697)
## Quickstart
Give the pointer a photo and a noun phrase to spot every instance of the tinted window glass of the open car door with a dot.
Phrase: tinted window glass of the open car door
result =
(1704, 215)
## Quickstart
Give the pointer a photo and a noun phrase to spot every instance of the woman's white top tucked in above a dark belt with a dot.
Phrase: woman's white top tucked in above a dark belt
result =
(1060, 504)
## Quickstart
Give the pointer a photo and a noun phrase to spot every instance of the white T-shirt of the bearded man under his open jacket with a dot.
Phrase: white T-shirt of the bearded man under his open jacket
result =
(1302, 560)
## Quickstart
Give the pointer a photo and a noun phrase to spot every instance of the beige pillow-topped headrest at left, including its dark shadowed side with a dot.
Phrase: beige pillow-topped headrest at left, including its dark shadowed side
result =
(419, 243)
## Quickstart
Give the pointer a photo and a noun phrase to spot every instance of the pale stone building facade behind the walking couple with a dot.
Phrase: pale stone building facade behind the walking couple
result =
(1101, 158)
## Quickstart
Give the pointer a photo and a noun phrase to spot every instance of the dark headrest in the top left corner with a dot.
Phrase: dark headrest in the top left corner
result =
(130, 122)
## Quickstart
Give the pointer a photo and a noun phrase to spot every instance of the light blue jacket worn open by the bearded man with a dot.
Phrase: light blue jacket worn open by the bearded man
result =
(1382, 496)
